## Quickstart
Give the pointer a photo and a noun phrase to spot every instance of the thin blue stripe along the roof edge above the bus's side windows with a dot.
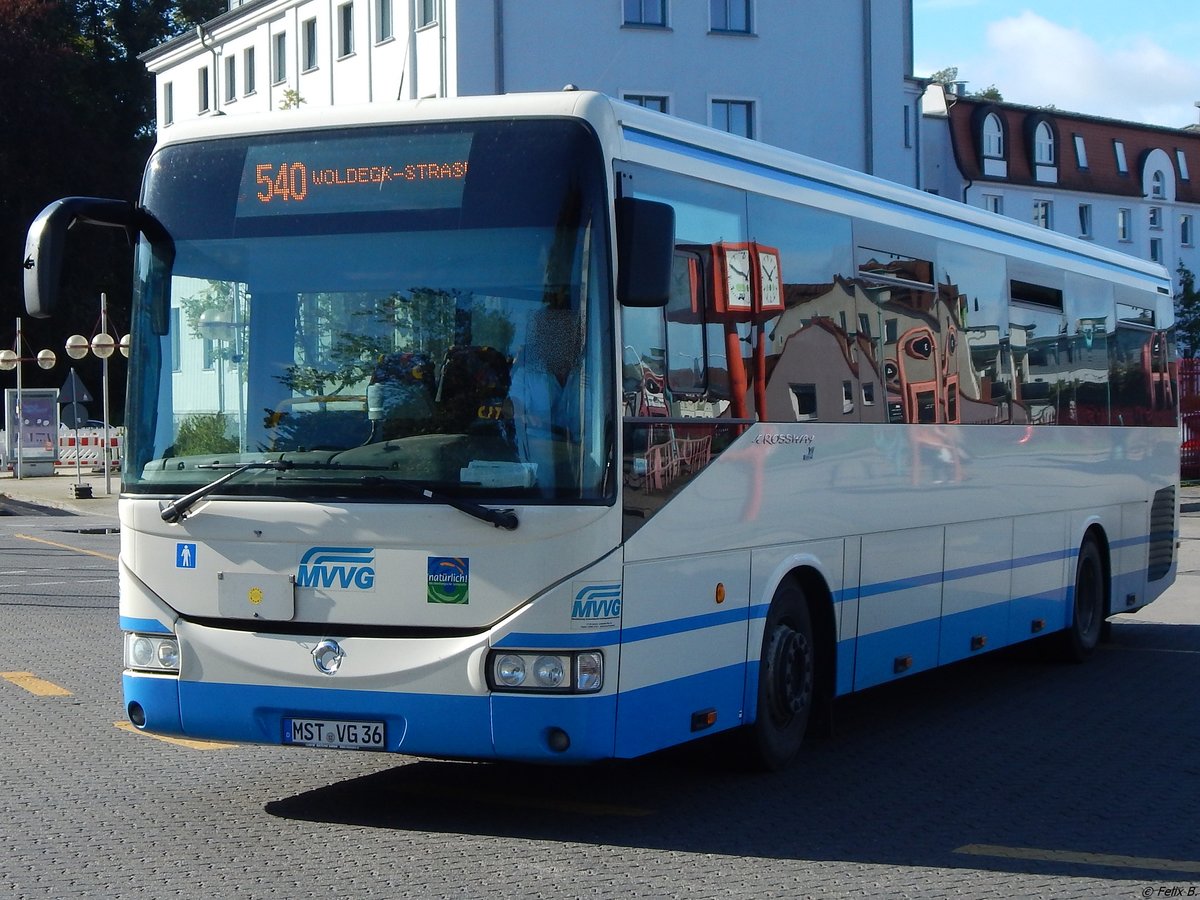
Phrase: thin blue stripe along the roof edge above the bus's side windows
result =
(813, 184)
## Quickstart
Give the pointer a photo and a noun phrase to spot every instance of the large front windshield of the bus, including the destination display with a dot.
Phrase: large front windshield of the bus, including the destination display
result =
(381, 309)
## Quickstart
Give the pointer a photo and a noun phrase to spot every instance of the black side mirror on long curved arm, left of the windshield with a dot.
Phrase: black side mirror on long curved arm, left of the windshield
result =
(46, 243)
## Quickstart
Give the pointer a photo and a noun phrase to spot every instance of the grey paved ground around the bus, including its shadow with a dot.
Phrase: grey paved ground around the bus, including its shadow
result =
(1007, 776)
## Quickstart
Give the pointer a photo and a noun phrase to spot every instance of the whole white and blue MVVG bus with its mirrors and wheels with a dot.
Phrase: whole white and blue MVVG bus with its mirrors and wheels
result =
(548, 428)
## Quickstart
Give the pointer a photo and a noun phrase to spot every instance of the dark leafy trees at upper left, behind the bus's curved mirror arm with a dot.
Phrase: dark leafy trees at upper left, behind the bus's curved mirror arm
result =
(77, 118)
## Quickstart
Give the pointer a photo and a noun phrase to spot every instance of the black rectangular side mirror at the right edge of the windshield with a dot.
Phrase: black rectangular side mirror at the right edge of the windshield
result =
(645, 253)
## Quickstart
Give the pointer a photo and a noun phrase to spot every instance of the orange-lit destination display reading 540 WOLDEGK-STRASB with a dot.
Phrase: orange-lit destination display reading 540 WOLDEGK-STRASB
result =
(411, 172)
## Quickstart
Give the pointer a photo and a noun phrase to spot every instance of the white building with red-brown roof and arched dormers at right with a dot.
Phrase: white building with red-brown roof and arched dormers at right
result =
(1126, 187)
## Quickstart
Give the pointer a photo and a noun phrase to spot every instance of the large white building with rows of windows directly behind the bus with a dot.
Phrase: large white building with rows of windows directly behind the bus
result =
(832, 80)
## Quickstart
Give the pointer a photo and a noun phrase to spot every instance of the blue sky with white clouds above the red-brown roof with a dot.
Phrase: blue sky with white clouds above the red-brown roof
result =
(1136, 61)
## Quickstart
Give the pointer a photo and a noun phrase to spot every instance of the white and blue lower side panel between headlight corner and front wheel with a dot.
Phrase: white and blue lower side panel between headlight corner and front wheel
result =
(685, 626)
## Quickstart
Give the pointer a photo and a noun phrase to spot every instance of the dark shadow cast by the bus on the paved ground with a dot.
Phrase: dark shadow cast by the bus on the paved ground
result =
(1007, 751)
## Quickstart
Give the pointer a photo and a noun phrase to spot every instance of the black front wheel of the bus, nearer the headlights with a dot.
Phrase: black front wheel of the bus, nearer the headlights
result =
(787, 677)
